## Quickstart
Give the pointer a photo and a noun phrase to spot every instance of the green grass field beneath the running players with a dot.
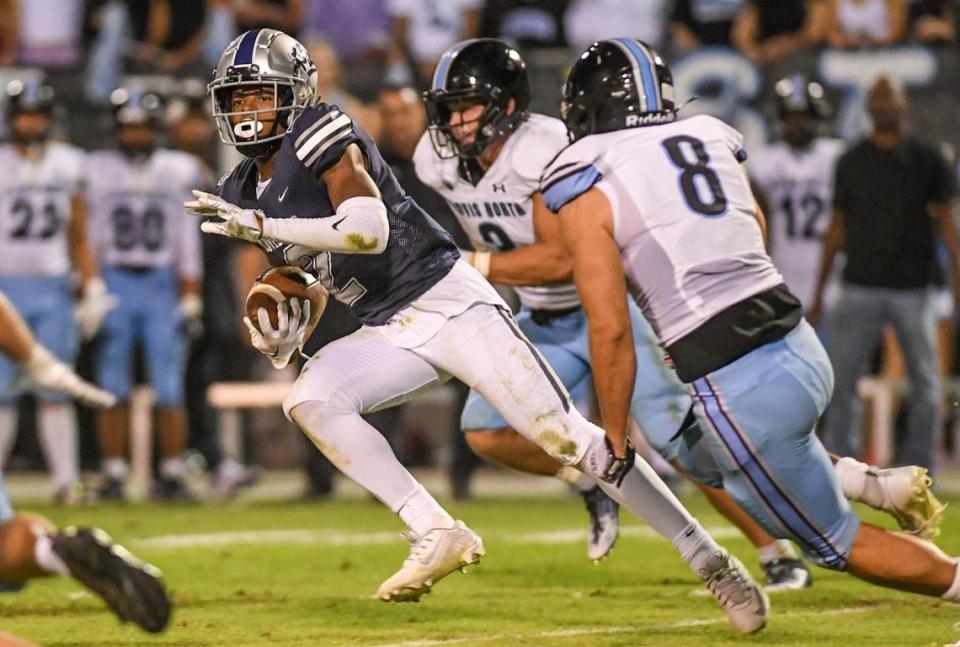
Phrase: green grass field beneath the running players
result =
(276, 573)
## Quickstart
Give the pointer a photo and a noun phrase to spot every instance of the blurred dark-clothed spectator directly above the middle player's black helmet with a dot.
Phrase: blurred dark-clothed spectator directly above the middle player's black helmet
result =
(527, 24)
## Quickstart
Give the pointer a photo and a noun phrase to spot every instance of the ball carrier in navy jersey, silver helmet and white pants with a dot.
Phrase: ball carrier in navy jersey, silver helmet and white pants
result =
(315, 192)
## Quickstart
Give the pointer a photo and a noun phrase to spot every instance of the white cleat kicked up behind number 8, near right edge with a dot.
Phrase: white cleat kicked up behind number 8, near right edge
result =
(907, 497)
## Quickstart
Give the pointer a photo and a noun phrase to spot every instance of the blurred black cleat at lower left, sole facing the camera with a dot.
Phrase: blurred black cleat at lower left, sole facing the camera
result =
(131, 588)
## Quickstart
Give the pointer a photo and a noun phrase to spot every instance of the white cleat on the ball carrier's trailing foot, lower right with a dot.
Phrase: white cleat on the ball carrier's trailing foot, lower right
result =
(745, 604)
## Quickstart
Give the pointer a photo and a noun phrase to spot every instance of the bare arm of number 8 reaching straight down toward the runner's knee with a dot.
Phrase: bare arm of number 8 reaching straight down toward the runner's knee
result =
(587, 227)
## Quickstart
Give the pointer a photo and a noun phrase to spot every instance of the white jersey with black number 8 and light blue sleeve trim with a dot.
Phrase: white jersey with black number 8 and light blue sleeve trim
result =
(684, 216)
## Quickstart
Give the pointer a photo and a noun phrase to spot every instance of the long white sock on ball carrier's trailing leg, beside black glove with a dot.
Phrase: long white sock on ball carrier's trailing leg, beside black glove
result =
(642, 492)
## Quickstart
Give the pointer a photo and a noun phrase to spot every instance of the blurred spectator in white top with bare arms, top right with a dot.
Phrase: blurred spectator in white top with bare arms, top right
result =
(853, 24)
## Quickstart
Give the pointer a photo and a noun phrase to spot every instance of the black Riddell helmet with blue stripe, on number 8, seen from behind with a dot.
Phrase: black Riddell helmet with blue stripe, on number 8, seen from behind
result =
(615, 84)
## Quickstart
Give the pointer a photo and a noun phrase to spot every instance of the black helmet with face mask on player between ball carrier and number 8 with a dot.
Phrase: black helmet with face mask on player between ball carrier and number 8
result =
(484, 70)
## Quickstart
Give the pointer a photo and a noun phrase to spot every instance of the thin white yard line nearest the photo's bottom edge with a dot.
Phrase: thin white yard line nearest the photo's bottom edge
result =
(599, 631)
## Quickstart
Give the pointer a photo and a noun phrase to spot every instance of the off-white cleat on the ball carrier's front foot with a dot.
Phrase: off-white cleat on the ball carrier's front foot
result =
(433, 556)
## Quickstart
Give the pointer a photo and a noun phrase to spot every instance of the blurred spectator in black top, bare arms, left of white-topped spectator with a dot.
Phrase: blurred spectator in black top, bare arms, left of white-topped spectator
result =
(769, 30)
